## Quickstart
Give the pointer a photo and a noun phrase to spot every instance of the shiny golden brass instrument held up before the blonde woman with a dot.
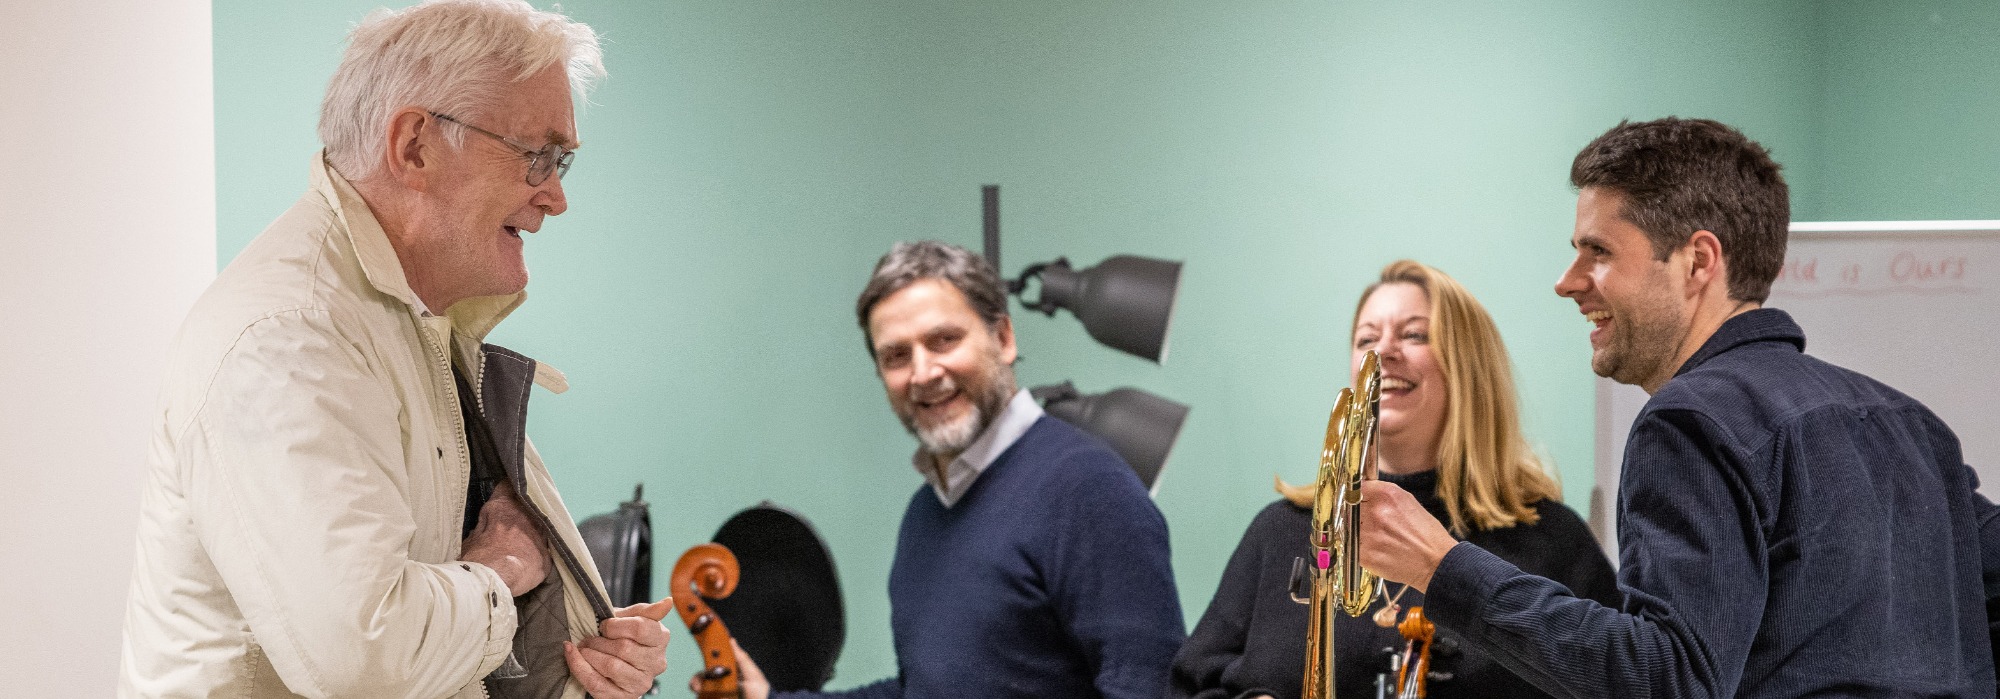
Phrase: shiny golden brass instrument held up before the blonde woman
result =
(1337, 574)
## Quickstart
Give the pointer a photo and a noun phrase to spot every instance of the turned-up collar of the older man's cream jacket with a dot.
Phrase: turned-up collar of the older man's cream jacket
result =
(475, 317)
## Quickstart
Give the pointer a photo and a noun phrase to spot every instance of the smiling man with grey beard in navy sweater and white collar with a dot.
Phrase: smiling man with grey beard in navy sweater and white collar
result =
(1033, 562)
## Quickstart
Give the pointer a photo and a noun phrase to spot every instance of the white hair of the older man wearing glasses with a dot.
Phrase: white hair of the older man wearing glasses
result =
(451, 57)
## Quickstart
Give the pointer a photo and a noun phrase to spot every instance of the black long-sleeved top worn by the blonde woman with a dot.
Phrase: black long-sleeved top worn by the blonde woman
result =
(1253, 638)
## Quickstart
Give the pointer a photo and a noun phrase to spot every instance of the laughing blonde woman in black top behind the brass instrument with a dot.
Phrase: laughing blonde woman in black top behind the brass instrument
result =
(1451, 436)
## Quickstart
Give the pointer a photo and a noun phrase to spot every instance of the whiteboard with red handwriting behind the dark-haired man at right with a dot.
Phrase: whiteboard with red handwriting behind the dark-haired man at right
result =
(1911, 305)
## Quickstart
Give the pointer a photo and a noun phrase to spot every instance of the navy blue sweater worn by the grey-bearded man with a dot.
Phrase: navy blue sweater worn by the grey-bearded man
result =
(1051, 578)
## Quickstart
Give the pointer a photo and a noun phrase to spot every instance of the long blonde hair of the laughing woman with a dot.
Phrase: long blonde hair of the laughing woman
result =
(1487, 474)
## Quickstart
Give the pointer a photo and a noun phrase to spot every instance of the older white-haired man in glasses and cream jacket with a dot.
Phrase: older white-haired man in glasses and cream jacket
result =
(343, 500)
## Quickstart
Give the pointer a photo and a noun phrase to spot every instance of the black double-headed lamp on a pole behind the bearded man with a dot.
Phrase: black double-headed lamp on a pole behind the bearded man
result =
(1127, 305)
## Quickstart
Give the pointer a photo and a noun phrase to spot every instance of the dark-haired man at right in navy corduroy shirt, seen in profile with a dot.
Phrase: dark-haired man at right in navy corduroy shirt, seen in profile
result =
(1787, 528)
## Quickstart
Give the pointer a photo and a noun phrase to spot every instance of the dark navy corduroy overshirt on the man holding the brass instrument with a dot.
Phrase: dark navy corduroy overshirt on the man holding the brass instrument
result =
(1787, 528)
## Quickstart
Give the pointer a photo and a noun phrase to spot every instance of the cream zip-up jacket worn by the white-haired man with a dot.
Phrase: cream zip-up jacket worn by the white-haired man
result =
(305, 498)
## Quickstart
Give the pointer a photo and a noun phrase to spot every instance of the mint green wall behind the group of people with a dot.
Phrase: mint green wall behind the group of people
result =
(747, 163)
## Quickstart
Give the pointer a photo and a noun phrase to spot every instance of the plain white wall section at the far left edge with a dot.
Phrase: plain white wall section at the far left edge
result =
(107, 191)
